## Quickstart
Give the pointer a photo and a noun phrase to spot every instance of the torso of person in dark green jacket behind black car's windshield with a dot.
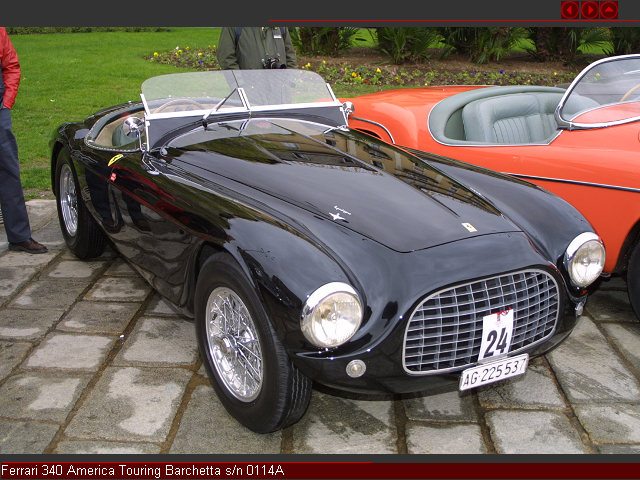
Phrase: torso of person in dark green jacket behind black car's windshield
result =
(249, 48)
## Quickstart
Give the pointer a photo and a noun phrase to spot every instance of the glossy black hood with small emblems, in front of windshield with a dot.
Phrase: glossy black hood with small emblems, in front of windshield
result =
(377, 190)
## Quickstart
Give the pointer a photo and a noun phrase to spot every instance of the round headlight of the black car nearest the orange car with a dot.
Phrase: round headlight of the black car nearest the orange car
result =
(584, 259)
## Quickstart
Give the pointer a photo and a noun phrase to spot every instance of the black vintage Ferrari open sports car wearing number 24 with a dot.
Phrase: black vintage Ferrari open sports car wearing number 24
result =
(307, 251)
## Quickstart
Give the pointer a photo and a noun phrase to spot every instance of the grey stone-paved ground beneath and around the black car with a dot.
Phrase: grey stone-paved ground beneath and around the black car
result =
(93, 361)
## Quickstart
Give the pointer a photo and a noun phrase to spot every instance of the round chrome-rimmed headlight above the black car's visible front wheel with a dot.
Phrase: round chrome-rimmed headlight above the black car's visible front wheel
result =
(331, 315)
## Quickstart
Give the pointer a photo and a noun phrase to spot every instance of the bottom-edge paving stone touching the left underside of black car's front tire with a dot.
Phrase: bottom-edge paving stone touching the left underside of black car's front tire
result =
(206, 427)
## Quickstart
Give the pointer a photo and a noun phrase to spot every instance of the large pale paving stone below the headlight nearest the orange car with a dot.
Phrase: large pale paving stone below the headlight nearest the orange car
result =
(588, 368)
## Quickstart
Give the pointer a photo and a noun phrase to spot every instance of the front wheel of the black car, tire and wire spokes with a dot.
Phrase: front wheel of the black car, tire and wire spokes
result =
(283, 394)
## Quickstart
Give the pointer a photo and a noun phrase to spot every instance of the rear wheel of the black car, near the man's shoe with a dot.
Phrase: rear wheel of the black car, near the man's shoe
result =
(81, 232)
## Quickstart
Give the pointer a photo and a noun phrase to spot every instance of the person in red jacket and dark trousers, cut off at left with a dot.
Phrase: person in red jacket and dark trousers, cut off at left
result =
(14, 210)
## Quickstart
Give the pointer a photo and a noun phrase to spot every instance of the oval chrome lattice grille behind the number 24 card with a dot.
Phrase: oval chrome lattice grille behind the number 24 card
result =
(445, 331)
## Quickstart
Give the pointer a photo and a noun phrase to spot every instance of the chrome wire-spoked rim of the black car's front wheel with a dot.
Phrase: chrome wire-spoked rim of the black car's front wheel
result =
(234, 347)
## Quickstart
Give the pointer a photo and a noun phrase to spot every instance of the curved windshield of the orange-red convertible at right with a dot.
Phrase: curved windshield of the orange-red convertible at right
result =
(606, 93)
